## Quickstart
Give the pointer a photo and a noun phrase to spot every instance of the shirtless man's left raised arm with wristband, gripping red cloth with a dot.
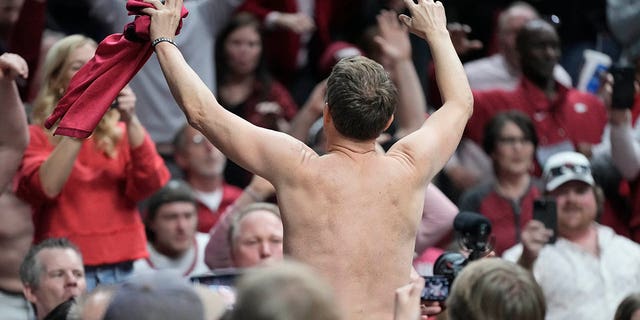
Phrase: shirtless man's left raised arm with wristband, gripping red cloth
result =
(264, 152)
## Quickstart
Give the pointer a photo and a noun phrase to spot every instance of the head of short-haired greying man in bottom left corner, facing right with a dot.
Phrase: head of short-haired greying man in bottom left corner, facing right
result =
(52, 274)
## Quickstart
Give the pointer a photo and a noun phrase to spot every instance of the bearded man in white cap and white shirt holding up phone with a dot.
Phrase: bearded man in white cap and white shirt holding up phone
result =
(589, 270)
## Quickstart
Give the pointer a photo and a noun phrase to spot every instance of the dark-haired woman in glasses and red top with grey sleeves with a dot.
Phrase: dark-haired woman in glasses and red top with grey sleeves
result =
(510, 140)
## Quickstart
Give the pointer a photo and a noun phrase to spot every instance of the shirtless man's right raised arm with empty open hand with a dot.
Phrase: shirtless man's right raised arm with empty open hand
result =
(431, 146)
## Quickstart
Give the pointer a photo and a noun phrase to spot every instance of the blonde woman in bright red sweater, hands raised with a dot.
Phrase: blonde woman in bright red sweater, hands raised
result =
(88, 190)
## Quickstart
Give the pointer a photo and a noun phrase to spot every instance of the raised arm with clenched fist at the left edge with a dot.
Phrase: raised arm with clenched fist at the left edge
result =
(14, 134)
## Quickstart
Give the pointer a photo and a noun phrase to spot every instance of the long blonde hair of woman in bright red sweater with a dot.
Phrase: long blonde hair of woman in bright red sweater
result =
(107, 134)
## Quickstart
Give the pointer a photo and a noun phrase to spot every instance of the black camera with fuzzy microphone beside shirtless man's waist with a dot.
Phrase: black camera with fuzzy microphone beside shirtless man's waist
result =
(473, 232)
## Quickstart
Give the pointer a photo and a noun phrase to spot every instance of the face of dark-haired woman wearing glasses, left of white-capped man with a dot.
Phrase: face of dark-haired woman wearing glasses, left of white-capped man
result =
(513, 154)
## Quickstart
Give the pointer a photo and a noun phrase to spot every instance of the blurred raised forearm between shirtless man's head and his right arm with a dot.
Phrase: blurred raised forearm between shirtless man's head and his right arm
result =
(412, 104)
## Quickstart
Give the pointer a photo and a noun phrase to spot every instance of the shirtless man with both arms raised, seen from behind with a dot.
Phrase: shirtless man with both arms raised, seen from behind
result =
(352, 213)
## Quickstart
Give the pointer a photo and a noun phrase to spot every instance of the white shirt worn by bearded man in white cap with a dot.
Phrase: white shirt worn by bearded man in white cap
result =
(579, 285)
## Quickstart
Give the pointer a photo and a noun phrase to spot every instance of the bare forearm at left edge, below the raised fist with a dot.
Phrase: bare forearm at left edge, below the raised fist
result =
(14, 133)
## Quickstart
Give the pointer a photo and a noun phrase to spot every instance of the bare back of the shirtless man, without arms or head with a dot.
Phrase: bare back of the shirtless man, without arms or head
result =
(354, 218)
